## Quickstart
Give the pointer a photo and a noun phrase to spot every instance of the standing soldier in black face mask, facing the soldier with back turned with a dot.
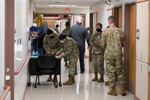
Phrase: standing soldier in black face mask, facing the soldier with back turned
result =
(98, 54)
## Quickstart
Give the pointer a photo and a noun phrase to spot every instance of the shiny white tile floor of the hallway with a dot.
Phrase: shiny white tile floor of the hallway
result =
(84, 89)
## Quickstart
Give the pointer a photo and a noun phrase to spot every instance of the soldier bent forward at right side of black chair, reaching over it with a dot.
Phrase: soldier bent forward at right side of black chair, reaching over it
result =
(70, 50)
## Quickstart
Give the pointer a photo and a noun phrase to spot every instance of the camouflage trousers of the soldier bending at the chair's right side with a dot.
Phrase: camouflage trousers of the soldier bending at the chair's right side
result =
(72, 64)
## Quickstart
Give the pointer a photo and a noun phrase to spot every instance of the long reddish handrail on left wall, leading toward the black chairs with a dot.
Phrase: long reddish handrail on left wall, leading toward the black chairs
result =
(24, 62)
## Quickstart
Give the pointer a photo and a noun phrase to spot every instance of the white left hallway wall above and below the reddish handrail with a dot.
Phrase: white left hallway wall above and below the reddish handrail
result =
(23, 20)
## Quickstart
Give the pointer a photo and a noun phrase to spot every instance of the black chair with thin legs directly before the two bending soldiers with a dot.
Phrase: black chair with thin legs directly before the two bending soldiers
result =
(48, 65)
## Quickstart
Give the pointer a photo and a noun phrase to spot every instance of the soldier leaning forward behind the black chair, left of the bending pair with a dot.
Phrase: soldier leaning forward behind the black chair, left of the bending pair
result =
(51, 44)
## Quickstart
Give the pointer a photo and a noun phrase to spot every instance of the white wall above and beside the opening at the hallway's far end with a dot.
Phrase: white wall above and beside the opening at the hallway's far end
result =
(61, 11)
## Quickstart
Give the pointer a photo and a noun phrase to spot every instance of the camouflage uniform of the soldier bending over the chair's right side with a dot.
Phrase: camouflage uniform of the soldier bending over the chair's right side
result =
(71, 51)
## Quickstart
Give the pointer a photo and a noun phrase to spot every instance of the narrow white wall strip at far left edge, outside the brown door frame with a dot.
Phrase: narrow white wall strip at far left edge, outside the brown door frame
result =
(2, 39)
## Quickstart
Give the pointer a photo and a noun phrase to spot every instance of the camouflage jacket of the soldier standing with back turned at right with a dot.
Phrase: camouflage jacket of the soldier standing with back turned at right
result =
(112, 41)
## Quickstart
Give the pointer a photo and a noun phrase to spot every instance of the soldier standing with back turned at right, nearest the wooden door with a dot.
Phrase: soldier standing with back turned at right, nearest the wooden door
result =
(112, 41)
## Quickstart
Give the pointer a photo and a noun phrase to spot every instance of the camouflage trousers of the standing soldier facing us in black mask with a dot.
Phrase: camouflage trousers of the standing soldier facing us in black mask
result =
(98, 64)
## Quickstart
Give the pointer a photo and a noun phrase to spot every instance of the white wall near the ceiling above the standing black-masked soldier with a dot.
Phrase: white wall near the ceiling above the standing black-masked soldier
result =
(103, 13)
